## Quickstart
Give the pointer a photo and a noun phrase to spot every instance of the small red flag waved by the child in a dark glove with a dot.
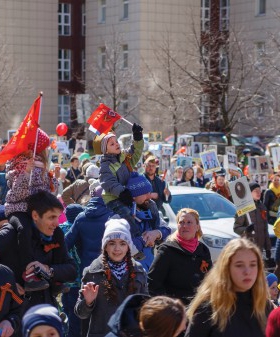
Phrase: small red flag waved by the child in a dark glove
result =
(102, 119)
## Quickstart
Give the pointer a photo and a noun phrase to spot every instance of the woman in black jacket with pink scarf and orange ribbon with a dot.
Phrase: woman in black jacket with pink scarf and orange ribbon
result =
(182, 261)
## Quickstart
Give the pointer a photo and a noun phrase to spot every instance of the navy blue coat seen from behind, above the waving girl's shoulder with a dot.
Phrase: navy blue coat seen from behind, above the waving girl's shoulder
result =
(87, 231)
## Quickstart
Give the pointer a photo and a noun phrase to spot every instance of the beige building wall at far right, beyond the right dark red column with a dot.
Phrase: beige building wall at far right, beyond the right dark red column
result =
(256, 29)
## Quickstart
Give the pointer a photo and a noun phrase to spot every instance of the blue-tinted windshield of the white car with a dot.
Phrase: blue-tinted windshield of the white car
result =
(208, 205)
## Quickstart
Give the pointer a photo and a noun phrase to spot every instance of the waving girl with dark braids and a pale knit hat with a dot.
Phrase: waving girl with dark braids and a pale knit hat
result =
(110, 278)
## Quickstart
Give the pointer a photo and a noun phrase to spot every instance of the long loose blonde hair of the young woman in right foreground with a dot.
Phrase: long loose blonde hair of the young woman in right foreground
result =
(221, 295)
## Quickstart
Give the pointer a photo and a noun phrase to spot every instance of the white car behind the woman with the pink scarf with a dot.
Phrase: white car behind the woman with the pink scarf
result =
(216, 216)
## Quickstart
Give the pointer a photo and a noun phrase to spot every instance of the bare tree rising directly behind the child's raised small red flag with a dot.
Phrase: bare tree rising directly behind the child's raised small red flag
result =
(113, 76)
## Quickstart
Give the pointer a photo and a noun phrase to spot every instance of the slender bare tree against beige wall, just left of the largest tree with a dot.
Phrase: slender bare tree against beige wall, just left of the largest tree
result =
(165, 87)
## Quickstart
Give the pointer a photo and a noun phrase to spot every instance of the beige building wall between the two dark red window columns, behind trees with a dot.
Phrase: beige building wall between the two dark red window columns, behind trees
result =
(149, 21)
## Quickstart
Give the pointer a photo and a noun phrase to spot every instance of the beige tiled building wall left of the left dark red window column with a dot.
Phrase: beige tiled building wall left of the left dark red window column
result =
(29, 29)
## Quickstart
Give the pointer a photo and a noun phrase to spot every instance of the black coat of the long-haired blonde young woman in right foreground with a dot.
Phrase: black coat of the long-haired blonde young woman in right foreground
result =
(241, 324)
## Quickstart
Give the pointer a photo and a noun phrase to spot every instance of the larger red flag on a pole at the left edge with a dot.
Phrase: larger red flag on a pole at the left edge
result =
(25, 135)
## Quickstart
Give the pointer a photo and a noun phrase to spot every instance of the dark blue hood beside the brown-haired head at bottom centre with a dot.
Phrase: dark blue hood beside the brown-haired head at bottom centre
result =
(126, 316)
